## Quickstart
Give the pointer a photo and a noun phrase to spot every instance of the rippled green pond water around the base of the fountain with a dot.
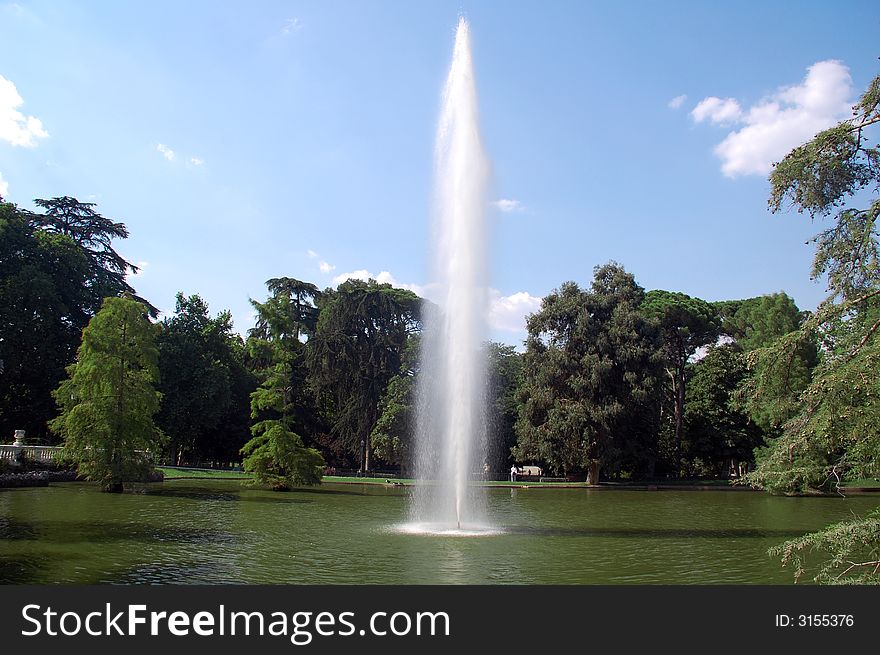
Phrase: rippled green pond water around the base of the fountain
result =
(198, 532)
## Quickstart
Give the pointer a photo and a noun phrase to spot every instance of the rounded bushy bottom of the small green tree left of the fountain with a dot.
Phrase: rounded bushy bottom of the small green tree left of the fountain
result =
(277, 457)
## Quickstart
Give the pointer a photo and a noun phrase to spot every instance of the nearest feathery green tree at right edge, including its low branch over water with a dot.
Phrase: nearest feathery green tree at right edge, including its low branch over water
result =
(836, 432)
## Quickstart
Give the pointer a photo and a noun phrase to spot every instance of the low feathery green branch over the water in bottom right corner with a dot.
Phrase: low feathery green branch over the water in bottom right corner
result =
(851, 551)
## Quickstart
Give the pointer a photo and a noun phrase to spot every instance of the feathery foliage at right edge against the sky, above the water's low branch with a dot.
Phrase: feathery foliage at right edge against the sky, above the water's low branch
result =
(835, 427)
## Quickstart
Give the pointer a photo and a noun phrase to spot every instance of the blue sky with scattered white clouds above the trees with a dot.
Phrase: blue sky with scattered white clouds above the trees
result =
(243, 141)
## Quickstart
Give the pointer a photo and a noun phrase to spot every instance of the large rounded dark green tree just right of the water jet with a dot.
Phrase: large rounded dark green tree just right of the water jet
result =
(590, 374)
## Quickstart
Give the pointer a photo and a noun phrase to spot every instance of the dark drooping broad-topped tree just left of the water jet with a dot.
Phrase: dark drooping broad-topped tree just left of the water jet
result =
(357, 349)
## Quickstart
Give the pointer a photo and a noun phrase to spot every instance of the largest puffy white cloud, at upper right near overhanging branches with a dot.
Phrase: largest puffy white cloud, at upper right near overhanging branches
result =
(775, 125)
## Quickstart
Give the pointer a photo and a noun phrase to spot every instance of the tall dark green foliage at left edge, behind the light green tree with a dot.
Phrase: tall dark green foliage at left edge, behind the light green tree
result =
(55, 270)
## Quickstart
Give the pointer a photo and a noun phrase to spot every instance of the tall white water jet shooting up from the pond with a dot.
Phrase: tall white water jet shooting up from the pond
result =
(450, 448)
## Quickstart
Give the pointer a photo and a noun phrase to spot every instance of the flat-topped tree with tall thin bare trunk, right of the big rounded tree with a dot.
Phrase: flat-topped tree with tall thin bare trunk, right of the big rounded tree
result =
(686, 324)
